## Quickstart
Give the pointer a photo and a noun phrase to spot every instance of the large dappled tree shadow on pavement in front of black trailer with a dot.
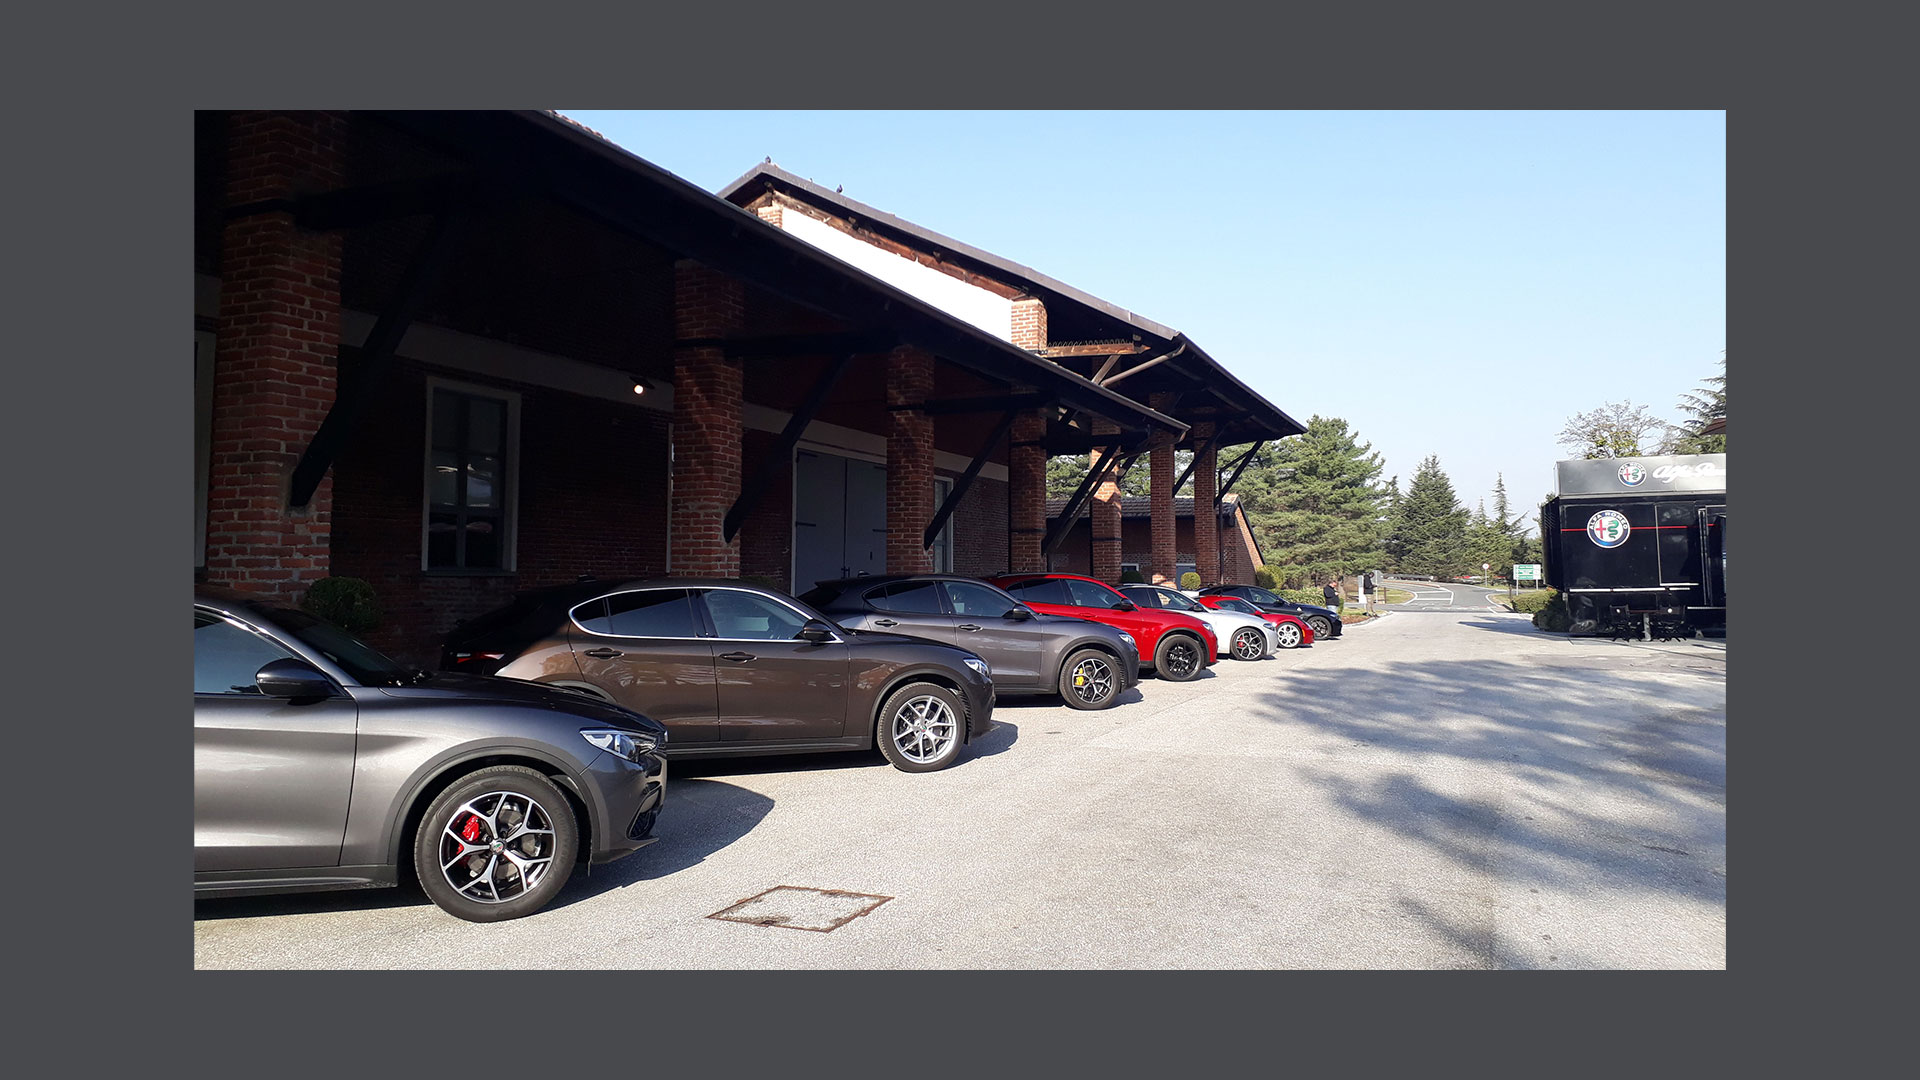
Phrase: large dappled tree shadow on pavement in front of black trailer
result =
(1620, 781)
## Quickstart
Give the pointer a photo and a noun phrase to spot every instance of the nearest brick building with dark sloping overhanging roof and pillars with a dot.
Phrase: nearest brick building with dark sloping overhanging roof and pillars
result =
(462, 355)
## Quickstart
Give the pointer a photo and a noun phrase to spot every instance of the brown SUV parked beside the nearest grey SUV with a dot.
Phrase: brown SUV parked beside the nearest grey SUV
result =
(736, 670)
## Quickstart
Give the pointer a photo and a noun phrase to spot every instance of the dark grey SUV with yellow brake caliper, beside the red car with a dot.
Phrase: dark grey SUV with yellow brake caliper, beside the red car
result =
(1088, 664)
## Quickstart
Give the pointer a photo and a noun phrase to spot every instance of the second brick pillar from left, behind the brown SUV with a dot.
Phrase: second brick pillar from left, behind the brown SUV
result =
(708, 433)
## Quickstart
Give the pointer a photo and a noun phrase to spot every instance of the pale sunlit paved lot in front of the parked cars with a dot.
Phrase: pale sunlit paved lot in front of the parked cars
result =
(1433, 791)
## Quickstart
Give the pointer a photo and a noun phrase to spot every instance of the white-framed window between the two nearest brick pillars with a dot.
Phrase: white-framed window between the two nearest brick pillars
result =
(471, 478)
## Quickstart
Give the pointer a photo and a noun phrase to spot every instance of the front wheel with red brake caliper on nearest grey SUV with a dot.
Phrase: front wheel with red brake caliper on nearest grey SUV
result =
(498, 845)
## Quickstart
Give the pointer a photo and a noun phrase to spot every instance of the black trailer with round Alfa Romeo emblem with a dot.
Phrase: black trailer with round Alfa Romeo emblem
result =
(1639, 545)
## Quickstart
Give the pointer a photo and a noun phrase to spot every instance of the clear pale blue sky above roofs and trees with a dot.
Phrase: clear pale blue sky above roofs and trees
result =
(1449, 283)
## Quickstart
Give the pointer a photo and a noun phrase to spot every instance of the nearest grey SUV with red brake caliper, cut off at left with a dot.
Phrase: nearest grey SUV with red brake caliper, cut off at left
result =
(320, 764)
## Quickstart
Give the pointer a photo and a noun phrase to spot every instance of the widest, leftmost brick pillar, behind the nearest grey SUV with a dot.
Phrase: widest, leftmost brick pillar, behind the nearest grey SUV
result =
(276, 362)
